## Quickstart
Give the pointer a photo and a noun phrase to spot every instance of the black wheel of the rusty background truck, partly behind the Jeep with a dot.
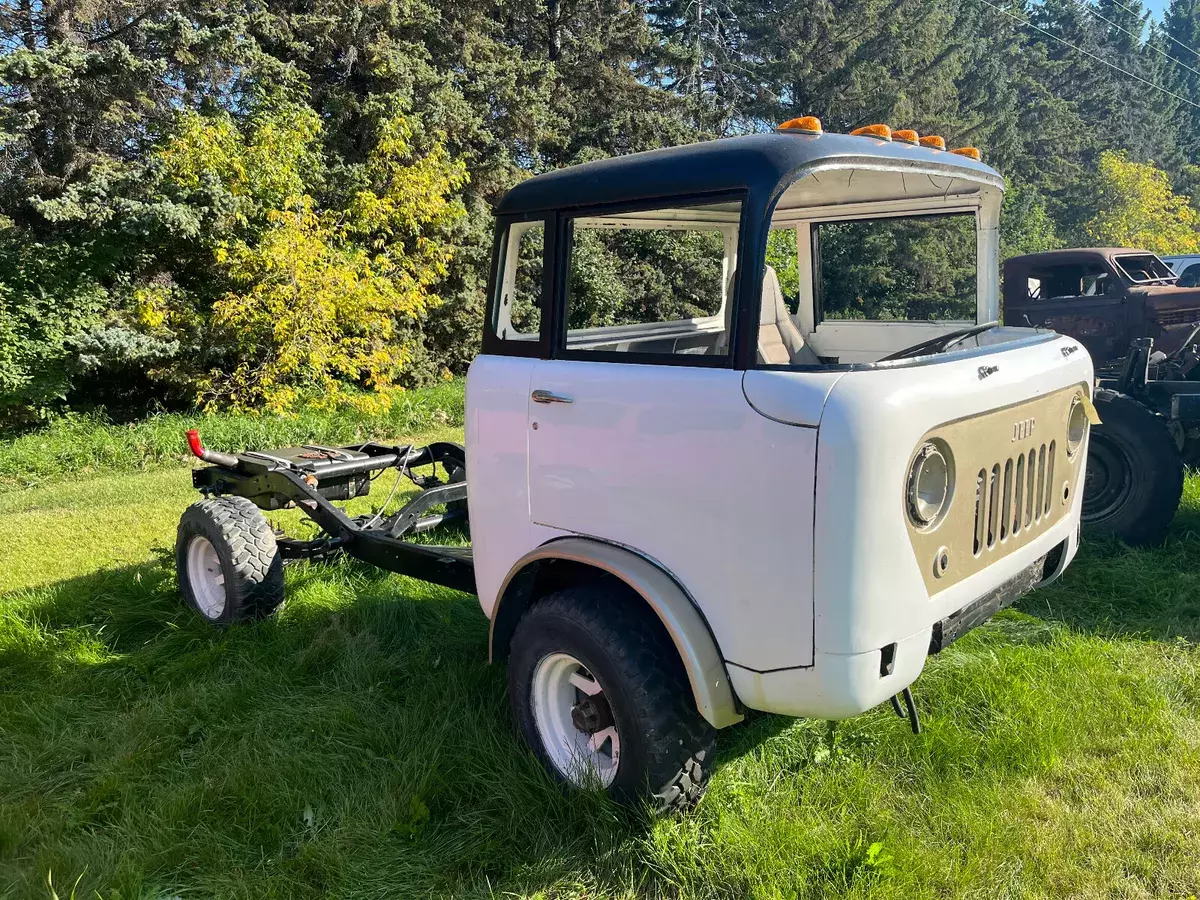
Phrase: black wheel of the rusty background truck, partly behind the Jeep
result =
(1135, 472)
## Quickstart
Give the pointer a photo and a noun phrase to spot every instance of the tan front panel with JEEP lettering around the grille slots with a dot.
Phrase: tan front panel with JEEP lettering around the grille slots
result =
(1001, 499)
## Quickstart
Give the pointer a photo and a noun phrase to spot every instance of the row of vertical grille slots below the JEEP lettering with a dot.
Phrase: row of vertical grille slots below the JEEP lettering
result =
(1015, 497)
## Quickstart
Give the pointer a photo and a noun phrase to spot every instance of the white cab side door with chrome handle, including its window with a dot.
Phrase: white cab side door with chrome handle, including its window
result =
(640, 433)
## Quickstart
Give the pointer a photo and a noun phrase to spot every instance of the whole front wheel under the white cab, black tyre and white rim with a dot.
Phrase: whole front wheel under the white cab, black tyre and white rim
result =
(599, 693)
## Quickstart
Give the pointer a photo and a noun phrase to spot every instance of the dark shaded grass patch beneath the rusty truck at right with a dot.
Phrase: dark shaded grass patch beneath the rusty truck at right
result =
(1124, 592)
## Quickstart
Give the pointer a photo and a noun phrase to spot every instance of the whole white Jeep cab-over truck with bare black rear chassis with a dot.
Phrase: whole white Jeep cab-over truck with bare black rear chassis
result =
(743, 435)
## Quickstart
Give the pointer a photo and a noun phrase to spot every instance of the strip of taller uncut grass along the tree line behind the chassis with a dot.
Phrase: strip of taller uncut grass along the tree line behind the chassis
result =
(82, 447)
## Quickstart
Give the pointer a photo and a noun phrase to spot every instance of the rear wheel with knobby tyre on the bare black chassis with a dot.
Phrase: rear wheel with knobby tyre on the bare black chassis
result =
(229, 565)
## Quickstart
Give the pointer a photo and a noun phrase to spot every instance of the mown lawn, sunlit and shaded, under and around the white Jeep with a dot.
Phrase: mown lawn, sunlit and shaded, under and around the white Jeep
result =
(358, 745)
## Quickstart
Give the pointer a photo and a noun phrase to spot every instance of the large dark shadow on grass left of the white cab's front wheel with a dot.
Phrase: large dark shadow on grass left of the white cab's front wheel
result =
(361, 737)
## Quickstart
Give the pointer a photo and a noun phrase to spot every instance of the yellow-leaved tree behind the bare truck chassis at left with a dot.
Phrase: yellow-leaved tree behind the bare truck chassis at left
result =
(322, 302)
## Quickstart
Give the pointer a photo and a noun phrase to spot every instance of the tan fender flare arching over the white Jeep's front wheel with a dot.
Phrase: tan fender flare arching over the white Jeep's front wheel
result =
(573, 561)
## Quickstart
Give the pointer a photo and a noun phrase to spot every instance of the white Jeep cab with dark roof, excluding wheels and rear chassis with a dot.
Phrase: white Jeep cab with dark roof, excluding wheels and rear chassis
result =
(773, 482)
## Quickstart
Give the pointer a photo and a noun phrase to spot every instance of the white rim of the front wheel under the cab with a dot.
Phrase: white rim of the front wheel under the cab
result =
(561, 683)
